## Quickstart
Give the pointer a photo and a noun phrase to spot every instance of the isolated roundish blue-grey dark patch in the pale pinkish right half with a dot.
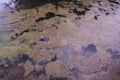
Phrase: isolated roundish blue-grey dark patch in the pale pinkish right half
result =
(89, 50)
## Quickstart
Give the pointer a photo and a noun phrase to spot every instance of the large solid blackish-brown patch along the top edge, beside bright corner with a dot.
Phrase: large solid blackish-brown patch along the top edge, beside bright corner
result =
(28, 4)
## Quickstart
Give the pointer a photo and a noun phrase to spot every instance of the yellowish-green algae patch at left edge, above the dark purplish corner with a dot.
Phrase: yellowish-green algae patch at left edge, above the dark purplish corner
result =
(14, 51)
